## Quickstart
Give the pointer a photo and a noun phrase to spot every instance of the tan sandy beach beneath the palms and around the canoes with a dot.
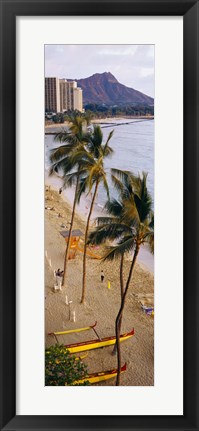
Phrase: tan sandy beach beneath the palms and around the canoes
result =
(101, 305)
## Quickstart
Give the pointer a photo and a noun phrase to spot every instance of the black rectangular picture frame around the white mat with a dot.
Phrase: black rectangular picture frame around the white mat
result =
(189, 9)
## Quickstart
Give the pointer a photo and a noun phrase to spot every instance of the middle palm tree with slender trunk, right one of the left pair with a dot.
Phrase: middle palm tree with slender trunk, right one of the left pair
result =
(95, 176)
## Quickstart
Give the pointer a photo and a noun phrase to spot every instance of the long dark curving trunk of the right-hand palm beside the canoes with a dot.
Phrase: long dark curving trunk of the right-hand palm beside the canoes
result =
(118, 318)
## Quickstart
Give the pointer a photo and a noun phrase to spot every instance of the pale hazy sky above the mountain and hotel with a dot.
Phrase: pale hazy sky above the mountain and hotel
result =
(132, 65)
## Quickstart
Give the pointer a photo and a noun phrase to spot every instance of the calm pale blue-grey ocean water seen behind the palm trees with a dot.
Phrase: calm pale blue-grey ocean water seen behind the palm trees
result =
(133, 146)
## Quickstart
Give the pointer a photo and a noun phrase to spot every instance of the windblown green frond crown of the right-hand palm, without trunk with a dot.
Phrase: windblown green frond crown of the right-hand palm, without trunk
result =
(131, 221)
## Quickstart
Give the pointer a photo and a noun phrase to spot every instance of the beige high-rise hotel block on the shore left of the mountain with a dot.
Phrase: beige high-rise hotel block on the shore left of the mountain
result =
(62, 95)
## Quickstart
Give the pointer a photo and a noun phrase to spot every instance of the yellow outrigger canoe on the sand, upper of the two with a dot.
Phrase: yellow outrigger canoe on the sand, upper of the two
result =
(96, 344)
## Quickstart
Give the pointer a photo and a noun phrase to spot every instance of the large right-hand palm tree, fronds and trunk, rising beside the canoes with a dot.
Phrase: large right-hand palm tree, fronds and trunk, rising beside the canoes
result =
(133, 227)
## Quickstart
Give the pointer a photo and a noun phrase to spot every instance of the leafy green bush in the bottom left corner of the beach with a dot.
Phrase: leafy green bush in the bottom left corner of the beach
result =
(62, 369)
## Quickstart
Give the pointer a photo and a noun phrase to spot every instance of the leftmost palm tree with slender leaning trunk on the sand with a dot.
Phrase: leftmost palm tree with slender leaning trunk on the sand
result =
(64, 159)
